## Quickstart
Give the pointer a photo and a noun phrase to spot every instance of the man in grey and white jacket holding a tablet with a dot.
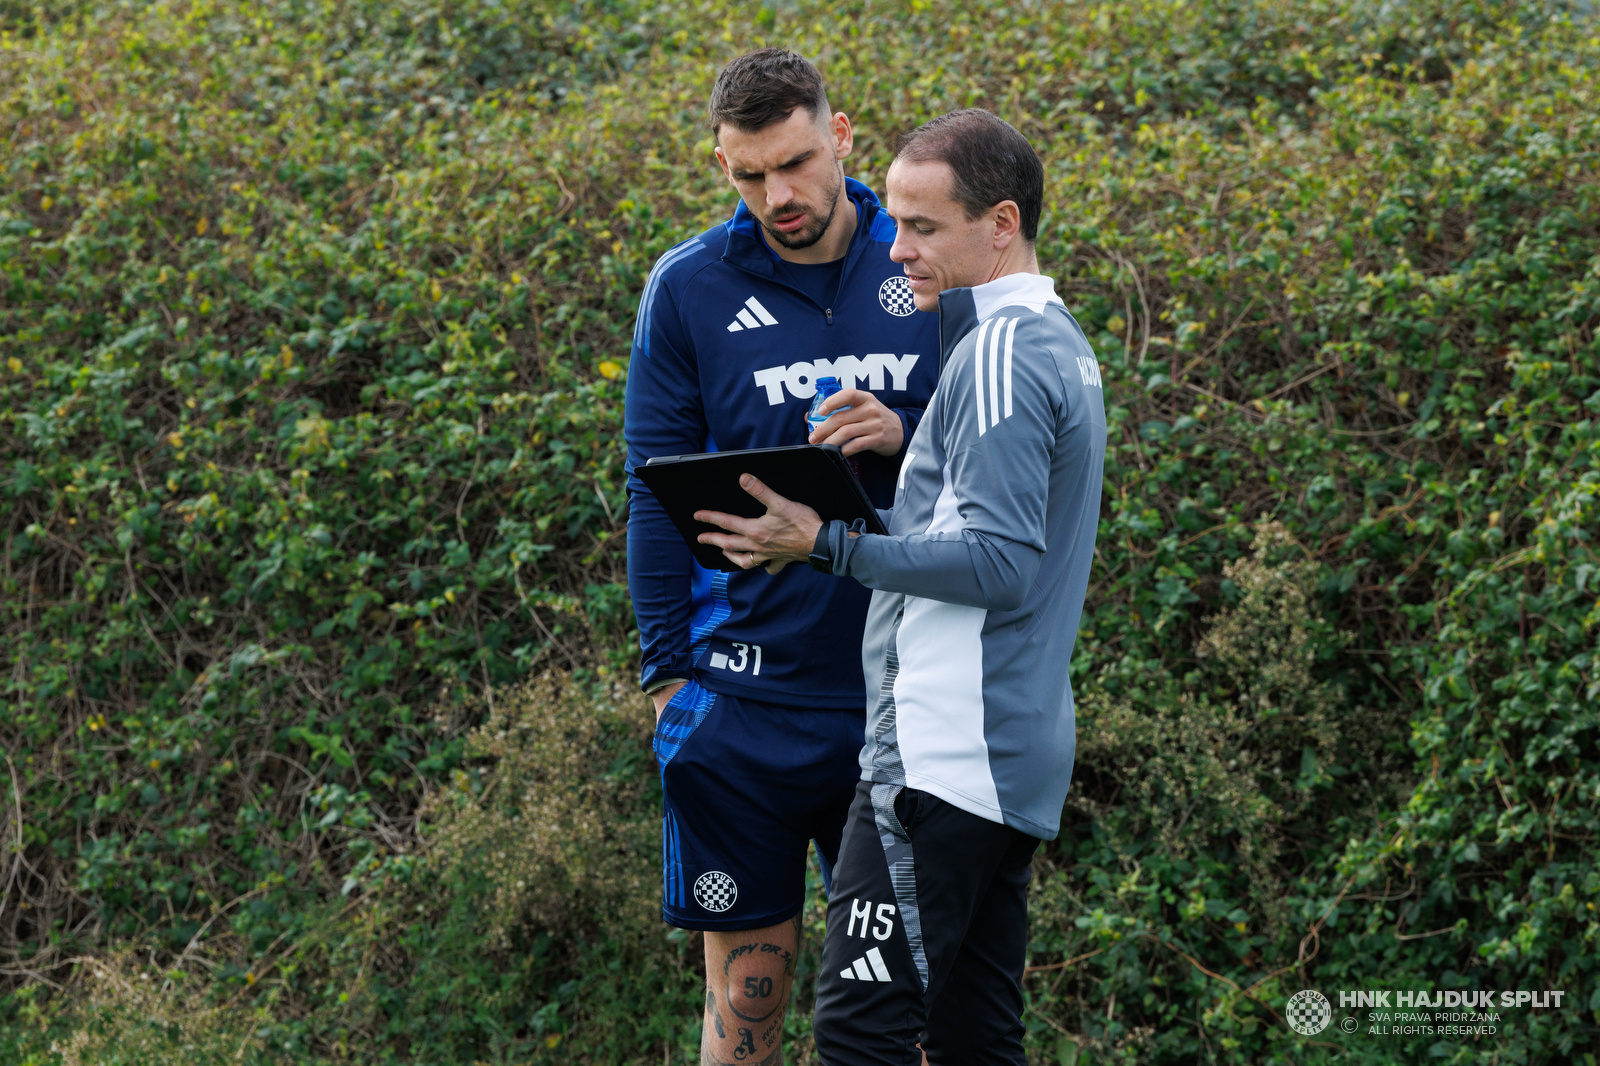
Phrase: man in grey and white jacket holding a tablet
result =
(978, 590)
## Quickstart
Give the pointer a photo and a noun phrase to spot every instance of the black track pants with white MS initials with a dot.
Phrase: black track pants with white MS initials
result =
(927, 931)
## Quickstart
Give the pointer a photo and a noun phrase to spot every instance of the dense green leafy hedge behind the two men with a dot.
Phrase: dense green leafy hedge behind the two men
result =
(314, 323)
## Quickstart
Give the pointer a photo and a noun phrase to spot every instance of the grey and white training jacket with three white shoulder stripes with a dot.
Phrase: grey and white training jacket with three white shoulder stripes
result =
(980, 583)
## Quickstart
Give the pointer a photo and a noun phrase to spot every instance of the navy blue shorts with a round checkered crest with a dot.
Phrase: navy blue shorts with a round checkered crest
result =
(748, 787)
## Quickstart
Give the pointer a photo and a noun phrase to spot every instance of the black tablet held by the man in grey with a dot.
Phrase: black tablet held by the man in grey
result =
(817, 476)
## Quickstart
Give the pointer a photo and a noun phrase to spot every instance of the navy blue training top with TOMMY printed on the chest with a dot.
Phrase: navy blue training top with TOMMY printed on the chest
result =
(726, 356)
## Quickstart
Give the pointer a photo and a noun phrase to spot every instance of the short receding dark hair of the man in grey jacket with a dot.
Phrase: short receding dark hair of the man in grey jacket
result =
(991, 162)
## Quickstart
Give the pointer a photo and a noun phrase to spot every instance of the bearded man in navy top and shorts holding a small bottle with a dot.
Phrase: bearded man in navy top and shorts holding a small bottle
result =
(758, 681)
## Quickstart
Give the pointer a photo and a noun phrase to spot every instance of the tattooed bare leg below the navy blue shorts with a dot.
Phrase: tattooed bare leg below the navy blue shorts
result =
(750, 976)
